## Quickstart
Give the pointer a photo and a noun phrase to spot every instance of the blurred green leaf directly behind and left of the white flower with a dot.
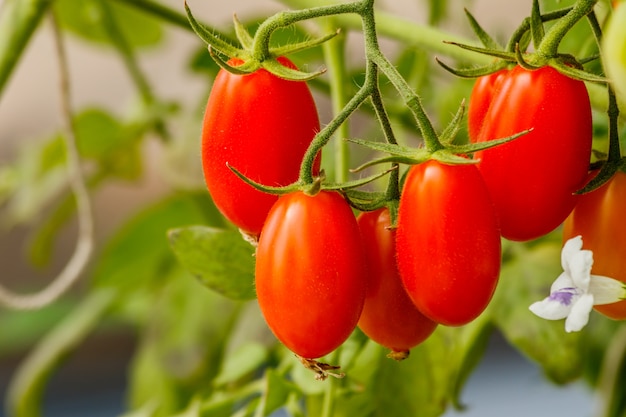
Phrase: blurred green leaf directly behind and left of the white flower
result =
(524, 279)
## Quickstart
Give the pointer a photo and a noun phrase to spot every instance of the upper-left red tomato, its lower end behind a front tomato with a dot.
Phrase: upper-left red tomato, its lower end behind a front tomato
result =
(262, 126)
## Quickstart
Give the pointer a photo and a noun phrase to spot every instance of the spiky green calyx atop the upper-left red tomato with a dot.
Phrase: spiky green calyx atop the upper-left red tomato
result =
(255, 52)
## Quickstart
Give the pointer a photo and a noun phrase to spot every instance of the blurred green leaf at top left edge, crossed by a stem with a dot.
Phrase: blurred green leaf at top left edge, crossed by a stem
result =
(84, 18)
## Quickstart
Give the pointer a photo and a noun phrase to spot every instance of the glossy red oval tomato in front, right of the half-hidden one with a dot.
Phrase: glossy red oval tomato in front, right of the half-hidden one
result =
(448, 242)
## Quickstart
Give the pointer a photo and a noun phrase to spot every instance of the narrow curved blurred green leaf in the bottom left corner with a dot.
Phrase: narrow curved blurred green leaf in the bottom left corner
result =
(25, 393)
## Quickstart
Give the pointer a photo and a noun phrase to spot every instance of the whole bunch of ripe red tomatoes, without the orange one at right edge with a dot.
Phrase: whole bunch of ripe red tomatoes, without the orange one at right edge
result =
(321, 271)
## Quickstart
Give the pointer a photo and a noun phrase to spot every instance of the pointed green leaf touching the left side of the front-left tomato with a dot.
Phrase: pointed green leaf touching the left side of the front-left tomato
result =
(221, 259)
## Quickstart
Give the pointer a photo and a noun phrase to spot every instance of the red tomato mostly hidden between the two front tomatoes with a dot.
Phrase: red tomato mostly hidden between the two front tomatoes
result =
(389, 316)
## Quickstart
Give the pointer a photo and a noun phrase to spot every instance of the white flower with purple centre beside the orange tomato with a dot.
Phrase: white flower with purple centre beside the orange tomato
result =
(576, 291)
